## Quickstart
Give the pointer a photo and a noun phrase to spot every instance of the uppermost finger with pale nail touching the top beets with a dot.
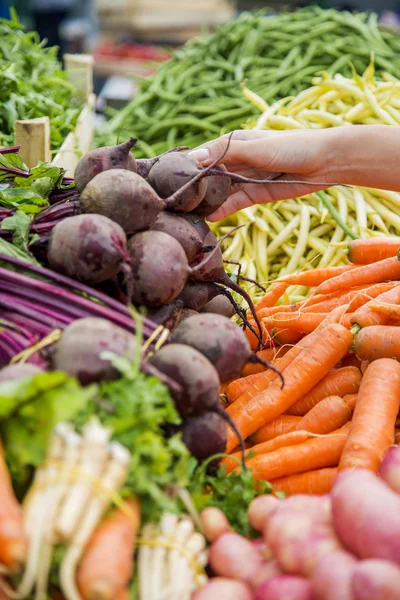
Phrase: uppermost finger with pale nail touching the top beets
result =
(238, 152)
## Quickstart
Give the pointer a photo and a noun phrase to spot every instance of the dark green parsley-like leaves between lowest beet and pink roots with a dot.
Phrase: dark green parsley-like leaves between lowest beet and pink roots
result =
(232, 494)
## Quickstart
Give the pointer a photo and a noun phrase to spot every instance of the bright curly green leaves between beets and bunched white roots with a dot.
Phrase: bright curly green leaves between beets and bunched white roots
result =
(136, 407)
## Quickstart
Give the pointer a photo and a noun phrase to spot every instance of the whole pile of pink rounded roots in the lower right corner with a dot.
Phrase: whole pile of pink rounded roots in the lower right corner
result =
(341, 546)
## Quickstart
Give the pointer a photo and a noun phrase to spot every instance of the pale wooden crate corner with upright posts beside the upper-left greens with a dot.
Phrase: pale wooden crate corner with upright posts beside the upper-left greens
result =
(34, 135)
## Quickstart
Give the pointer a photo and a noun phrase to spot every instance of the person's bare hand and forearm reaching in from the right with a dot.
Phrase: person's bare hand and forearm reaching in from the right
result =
(365, 155)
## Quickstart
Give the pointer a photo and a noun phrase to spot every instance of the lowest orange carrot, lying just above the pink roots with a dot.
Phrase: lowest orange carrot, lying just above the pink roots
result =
(317, 482)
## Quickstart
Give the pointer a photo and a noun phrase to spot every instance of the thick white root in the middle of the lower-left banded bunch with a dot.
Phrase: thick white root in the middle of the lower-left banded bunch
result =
(94, 454)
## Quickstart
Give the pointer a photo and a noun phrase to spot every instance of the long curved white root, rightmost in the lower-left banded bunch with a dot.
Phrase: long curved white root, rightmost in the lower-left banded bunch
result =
(112, 479)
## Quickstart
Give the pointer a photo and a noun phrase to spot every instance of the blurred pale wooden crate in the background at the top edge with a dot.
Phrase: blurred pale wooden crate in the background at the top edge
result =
(156, 17)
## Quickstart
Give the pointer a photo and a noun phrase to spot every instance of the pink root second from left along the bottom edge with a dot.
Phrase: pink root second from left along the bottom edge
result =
(288, 587)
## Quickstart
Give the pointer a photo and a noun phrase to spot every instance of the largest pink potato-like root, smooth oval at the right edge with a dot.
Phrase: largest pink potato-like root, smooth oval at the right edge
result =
(366, 515)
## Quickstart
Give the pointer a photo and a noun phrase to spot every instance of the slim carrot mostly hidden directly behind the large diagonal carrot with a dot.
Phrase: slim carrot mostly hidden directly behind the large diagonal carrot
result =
(260, 382)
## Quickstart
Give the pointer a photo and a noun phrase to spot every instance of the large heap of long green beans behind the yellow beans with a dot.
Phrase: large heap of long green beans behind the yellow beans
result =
(197, 94)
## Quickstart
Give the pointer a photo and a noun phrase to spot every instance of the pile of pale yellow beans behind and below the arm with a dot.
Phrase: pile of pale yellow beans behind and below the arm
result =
(282, 237)
